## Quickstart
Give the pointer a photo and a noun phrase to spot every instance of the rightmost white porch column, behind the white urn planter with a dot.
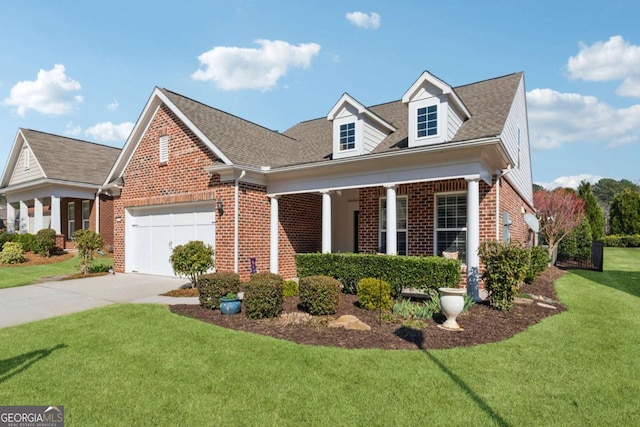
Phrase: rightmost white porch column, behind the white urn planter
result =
(473, 237)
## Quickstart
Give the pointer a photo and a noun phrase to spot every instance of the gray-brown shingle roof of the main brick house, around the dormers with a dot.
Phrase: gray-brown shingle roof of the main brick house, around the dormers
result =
(246, 143)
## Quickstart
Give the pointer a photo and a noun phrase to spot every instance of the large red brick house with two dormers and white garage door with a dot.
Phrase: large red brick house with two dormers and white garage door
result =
(440, 169)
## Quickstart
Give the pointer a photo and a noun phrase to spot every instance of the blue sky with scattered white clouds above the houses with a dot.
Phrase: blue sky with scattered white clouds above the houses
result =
(86, 69)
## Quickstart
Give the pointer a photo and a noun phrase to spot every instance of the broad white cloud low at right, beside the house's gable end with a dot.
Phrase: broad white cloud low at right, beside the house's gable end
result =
(557, 118)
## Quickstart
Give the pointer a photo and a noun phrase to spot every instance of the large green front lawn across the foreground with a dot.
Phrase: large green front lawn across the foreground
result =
(142, 365)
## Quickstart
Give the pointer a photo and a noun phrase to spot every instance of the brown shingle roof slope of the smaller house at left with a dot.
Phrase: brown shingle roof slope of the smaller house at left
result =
(71, 159)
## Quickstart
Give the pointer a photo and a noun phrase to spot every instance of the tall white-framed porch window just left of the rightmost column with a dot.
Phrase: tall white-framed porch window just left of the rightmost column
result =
(451, 224)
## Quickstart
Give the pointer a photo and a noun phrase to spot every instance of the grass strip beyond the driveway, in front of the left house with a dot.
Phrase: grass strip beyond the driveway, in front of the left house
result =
(20, 276)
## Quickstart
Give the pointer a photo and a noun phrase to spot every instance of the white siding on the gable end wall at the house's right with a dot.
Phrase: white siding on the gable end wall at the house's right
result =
(521, 174)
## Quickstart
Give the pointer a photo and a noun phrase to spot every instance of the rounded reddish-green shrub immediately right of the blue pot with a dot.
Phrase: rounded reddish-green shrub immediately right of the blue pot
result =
(263, 296)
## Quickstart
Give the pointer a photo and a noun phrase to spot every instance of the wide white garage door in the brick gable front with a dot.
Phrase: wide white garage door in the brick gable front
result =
(152, 233)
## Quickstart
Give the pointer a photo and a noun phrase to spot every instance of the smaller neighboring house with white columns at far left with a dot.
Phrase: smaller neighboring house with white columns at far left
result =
(51, 181)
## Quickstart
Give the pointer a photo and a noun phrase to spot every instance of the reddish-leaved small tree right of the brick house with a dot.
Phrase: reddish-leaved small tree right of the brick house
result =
(559, 212)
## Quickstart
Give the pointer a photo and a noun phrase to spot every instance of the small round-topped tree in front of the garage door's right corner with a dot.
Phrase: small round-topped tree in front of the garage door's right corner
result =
(192, 260)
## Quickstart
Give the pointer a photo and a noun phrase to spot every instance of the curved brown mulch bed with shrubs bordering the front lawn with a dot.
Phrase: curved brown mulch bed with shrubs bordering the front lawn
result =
(481, 323)
